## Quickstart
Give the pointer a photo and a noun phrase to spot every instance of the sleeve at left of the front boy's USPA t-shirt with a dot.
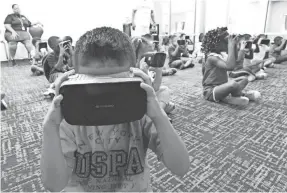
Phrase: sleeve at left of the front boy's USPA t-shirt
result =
(68, 143)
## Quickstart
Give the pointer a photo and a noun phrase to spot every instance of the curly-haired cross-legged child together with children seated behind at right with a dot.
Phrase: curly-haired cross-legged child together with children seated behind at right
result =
(245, 62)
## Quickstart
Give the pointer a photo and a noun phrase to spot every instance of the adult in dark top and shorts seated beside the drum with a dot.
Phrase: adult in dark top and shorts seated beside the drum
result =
(16, 31)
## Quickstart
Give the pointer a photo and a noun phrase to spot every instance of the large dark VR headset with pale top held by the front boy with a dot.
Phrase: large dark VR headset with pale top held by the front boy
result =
(94, 101)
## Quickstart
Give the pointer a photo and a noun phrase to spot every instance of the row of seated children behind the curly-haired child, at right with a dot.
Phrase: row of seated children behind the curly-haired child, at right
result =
(256, 55)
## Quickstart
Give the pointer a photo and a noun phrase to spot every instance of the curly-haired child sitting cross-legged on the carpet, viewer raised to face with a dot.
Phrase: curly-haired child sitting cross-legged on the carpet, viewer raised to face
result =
(216, 86)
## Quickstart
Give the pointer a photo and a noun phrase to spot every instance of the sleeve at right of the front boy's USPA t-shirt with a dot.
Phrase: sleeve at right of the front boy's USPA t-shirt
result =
(151, 135)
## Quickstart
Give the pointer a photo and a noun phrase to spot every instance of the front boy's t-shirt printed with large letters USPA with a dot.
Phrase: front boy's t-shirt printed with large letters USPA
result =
(109, 158)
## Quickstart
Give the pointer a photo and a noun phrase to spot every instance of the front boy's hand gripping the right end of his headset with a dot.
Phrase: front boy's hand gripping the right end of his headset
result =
(153, 107)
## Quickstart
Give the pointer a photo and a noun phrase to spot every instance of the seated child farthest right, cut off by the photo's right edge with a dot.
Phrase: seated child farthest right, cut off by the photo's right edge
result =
(276, 49)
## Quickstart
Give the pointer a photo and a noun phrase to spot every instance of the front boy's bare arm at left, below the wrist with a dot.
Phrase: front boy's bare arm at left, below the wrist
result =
(56, 171)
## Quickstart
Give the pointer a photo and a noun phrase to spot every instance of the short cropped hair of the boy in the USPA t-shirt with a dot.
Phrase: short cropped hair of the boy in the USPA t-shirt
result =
(103, 43)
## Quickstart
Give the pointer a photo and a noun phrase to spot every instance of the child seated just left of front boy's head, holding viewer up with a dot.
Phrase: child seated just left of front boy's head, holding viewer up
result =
(59, 59)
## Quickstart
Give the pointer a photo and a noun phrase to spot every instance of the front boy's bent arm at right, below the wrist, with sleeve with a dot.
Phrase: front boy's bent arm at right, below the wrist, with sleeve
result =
(165, 142)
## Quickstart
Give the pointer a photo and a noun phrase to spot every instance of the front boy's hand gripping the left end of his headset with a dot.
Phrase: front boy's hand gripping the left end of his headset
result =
(54, 115)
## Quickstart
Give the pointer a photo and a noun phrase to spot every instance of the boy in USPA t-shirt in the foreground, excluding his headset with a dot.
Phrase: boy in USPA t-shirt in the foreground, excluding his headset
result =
(112, 157)
